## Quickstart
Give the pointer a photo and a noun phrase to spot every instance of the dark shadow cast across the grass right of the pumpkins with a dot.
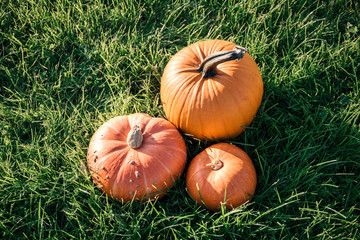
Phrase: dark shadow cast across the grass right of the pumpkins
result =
(300, 139)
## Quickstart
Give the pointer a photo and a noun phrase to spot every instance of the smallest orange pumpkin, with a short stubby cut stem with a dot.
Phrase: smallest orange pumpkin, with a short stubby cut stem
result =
(221, 174)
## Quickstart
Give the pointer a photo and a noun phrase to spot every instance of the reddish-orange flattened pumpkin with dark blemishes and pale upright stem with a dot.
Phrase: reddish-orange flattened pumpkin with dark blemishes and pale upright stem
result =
(136, 157)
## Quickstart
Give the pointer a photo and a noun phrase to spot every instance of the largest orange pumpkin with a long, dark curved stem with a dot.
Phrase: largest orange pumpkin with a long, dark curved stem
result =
(211, 90)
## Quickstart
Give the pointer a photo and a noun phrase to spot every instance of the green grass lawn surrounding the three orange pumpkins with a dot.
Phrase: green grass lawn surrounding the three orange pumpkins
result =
(68, 66)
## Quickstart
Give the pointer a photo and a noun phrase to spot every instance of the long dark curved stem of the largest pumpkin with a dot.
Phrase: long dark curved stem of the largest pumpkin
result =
(208, 65)
